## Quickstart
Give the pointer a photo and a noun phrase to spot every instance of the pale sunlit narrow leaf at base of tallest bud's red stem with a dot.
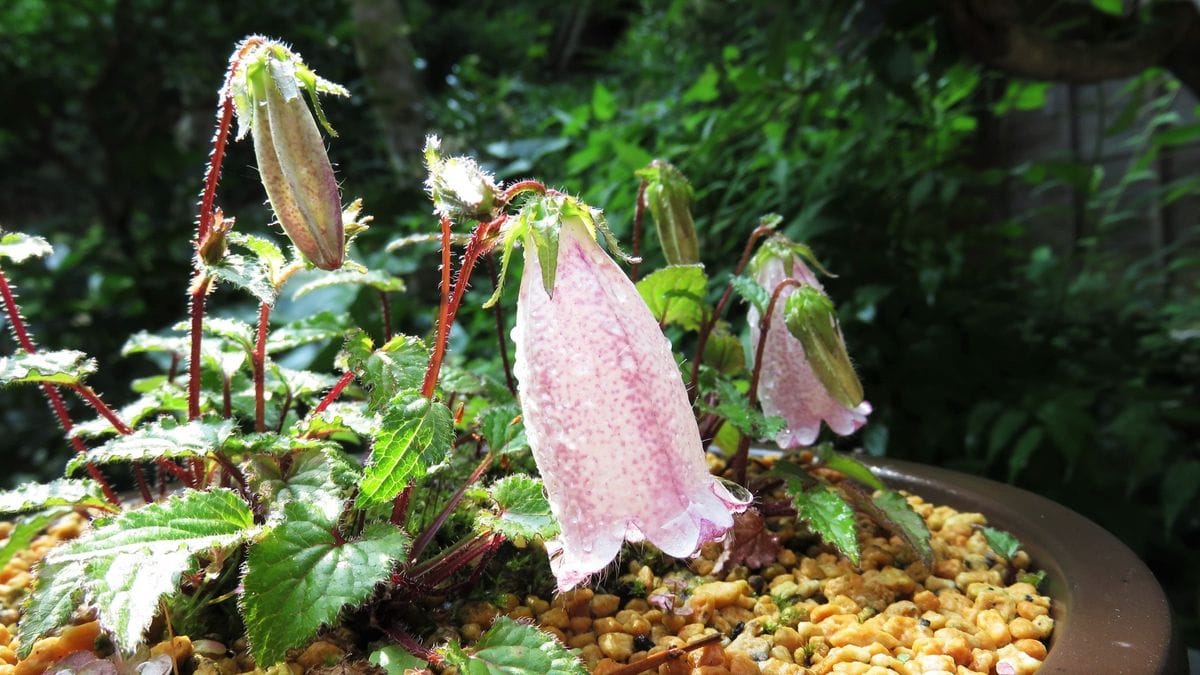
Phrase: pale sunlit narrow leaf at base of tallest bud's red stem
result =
(158, 441)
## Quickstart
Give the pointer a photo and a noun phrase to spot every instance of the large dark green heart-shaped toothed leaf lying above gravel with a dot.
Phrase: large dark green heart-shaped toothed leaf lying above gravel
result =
(299, 578)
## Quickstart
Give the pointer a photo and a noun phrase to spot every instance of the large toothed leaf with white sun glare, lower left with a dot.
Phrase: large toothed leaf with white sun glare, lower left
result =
(139, 557)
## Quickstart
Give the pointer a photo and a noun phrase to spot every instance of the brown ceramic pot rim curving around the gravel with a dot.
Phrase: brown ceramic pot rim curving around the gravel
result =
(1111, 614)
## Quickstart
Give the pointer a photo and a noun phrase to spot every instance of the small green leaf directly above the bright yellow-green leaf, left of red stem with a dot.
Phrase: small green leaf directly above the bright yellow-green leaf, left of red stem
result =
(397, 367)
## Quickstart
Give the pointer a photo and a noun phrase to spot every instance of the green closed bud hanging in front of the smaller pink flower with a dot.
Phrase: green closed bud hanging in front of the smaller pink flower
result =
(812, 320)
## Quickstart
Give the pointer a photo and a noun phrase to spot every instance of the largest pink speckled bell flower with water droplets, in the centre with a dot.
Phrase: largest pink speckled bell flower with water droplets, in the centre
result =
(605, 408)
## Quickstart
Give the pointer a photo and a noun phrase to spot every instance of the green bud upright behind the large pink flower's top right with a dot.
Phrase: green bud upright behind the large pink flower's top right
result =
(669, 198)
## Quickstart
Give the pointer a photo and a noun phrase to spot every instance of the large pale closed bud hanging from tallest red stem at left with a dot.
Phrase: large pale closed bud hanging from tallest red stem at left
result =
(291, 154)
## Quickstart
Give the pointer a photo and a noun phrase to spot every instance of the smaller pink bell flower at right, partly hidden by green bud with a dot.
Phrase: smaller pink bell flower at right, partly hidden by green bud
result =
(789, 387)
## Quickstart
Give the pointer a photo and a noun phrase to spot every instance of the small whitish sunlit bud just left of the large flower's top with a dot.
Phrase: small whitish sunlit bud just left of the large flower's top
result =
(460, 188)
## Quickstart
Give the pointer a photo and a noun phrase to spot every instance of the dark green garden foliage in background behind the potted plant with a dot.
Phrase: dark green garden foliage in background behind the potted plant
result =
(1071, 372)
